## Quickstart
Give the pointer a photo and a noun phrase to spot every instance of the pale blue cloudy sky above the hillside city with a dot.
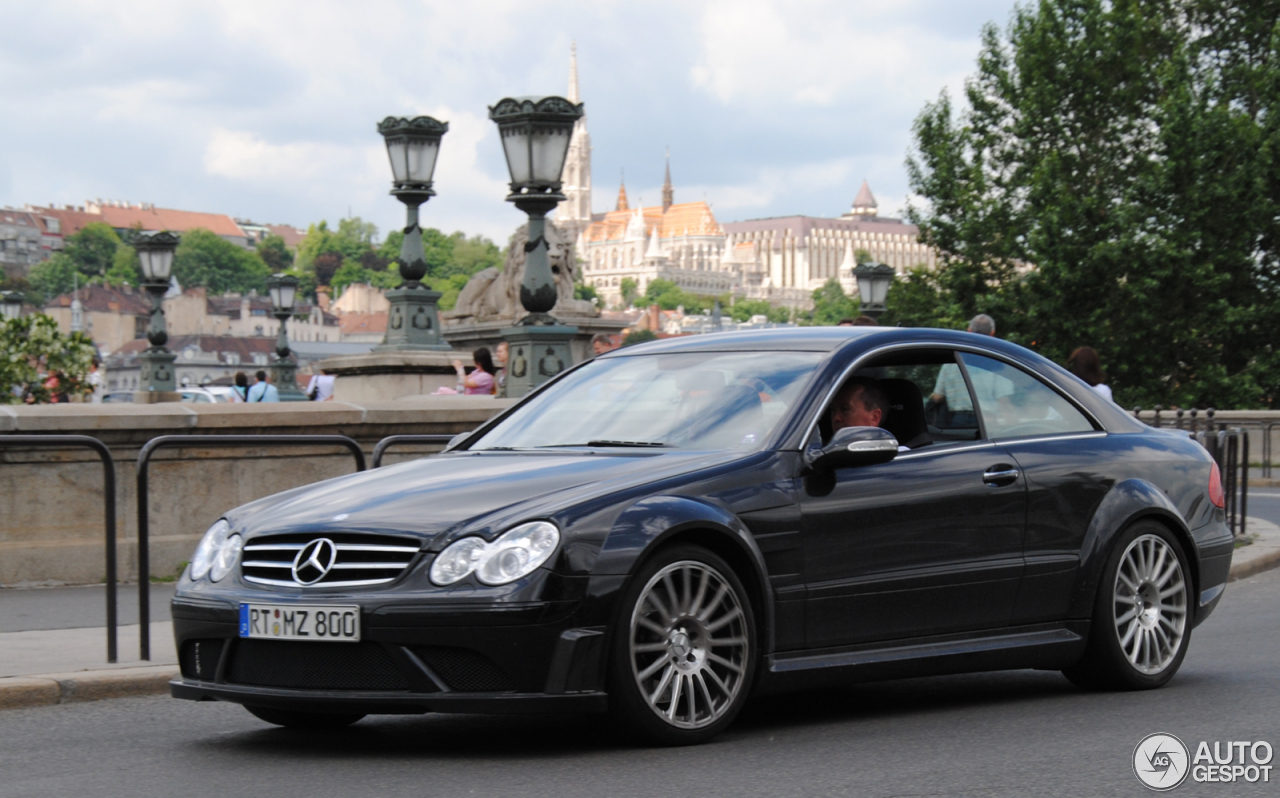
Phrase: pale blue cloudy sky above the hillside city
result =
(266, 110)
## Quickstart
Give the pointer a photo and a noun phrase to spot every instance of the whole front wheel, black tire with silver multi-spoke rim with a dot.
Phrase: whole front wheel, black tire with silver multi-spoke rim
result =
(684, 649)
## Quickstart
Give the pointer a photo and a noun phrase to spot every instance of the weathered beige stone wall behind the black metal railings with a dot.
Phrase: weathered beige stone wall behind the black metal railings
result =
(52, 514)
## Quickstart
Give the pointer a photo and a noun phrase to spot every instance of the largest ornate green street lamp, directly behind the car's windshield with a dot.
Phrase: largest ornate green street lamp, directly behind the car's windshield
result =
(536, 135)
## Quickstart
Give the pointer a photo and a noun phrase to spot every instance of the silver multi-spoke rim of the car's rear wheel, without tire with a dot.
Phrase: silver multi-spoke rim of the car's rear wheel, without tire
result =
(1150, 604)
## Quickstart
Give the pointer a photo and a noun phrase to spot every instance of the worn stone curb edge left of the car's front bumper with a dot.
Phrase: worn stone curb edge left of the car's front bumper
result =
(48, 690)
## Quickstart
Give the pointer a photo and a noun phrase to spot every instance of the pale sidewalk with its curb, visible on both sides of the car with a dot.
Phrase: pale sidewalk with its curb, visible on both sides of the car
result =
(48, 667)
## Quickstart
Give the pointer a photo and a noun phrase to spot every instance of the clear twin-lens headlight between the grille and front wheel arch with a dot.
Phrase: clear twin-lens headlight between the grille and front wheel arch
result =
(515, 554)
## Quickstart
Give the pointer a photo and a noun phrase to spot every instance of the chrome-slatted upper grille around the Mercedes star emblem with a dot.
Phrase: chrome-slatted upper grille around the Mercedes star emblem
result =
(360, 559)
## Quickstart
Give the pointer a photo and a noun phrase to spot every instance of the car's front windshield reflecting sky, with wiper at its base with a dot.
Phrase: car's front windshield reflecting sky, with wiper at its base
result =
(692, 400)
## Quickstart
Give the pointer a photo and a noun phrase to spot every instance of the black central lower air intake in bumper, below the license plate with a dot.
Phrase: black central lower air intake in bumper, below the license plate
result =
(333, 667)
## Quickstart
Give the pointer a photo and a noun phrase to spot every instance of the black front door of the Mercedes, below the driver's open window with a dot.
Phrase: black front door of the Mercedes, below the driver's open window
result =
(927, 544)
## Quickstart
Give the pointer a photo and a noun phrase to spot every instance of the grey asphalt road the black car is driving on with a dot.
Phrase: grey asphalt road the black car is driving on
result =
(1022, 733)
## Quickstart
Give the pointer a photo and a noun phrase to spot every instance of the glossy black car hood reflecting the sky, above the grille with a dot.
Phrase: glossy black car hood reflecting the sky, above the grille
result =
(473, 491)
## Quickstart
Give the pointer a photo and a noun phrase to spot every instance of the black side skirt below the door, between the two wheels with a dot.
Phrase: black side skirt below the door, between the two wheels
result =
(1045, 647)
